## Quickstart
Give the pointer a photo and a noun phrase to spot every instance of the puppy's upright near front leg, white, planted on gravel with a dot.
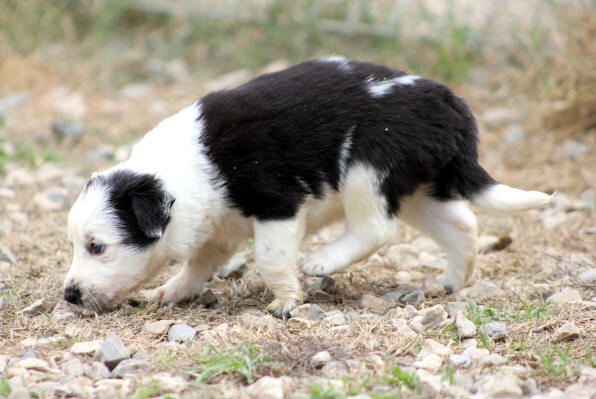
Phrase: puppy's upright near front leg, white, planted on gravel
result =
(276, 251)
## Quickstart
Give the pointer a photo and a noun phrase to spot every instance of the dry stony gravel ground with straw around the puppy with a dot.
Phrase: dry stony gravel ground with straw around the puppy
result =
(382, 328)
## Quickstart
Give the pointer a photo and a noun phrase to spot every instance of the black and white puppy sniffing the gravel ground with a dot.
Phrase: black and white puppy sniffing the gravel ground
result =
(277, 158)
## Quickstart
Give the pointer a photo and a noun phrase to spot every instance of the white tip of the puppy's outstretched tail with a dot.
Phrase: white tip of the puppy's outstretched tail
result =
(502, 198)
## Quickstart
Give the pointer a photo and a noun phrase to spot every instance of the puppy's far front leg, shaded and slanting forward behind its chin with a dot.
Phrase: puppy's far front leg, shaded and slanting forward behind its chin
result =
(194, 274)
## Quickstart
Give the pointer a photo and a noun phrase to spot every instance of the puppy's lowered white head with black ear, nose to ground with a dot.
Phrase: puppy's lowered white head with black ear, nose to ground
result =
(115, 227)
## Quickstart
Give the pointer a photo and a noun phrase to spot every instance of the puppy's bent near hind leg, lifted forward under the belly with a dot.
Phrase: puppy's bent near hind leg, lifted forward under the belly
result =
(369, 225)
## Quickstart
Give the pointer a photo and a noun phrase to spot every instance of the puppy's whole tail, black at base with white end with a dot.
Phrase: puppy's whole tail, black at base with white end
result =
(472, 182)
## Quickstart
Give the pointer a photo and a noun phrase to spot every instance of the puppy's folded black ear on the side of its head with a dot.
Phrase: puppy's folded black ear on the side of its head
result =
(152, 210)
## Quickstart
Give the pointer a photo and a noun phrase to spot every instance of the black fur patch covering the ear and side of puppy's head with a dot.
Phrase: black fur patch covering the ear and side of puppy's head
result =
(140, 203)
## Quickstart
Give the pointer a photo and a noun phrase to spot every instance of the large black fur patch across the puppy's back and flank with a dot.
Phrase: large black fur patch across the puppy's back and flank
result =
(278, 138)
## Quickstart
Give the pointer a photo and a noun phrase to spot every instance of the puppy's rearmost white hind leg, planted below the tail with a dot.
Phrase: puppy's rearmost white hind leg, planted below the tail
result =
(452, 225)
